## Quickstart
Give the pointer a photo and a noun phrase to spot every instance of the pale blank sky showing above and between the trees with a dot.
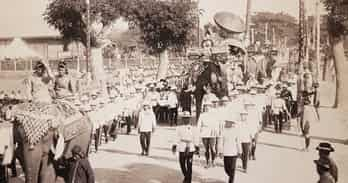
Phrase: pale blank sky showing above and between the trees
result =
(20, 18)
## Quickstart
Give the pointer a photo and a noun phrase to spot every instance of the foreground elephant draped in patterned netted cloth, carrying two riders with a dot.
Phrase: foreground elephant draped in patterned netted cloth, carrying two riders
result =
(45, 134)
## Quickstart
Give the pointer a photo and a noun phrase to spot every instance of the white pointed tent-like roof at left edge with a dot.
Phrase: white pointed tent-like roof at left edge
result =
(18, 49)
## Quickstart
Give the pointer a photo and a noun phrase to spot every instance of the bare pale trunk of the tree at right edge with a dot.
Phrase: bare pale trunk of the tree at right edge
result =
(341, 68)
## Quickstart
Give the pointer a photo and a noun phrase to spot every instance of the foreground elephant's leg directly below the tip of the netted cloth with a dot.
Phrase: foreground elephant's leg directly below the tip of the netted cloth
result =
(32, 162)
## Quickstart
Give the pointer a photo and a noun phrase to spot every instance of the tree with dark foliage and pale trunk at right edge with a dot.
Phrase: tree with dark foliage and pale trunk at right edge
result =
(337, 28)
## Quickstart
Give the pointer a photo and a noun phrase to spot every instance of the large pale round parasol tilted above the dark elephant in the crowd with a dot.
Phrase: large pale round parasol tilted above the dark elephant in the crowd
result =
(229, 22)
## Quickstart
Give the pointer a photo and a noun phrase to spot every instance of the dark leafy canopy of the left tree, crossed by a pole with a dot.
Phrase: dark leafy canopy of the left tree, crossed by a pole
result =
(69, 17)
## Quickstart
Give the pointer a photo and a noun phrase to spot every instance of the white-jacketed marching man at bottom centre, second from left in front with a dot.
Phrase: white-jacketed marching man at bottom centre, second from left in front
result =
(187, 144)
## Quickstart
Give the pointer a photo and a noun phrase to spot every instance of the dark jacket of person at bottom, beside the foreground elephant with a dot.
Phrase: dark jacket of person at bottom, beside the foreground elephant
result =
(81, 172)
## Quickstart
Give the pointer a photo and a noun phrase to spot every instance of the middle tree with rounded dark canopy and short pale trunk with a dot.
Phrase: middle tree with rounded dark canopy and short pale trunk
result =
(164, 25)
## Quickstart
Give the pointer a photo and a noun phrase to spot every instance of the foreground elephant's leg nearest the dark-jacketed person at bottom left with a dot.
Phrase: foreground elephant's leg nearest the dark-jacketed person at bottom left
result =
(47, 169)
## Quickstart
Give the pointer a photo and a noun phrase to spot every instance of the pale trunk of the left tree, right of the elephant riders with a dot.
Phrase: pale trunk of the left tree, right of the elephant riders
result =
(97, 68)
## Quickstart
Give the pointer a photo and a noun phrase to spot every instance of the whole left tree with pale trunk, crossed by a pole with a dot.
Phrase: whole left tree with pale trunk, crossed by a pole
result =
(69, 17)
